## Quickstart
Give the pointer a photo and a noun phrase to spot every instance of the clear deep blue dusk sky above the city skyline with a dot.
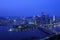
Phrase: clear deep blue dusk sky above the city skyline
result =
(29, 7)
